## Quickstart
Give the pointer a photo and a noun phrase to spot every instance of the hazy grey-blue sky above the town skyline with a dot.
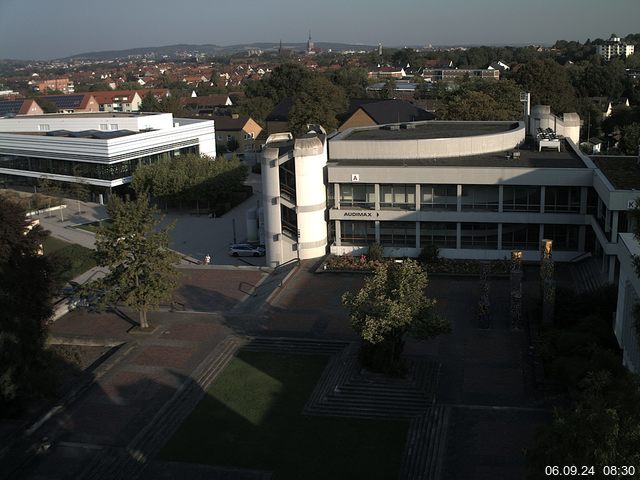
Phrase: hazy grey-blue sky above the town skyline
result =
(45, 29)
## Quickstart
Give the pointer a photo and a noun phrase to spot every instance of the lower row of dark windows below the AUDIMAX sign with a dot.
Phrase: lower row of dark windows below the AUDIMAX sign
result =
(472, 235)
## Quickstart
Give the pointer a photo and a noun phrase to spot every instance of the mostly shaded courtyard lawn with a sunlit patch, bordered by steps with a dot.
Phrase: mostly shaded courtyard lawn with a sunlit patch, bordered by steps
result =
(251, 418)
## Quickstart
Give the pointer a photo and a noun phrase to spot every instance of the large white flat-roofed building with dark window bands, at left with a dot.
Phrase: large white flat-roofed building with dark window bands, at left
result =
(99, 149)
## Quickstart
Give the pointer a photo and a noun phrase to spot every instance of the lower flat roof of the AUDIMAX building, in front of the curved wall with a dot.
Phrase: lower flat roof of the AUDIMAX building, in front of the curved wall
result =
(530, 157)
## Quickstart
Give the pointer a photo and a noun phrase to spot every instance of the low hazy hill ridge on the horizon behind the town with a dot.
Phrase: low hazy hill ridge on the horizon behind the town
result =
(180, 50)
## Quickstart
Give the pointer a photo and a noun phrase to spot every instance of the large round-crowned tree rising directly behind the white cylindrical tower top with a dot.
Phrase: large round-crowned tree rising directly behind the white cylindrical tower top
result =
(319, 102)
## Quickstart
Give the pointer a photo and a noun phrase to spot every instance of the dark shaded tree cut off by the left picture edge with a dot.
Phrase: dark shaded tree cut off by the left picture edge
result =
(27, 284)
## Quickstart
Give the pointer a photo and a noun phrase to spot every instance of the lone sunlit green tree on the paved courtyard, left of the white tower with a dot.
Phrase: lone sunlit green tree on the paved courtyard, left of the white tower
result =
(141, 267)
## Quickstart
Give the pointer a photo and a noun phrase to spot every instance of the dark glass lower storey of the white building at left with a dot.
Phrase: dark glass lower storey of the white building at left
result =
(98, 171)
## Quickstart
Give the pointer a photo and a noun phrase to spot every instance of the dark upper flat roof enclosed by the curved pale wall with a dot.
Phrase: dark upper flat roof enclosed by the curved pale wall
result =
(431, 130)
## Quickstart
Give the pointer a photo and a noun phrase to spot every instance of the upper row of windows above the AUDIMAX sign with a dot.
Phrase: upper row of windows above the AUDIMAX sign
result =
(474, 197)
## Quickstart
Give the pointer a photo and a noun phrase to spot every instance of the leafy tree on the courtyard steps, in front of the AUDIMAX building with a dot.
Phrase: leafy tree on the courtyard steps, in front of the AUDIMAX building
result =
(390, 306)
